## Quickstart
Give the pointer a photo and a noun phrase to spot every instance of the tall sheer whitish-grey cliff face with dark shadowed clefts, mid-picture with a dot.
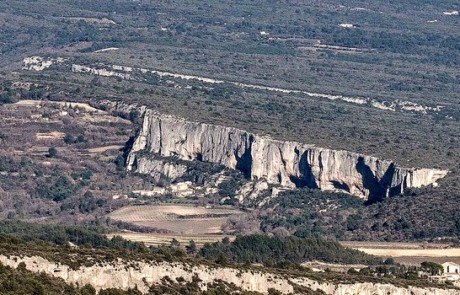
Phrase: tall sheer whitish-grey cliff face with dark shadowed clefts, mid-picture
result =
(289, 164)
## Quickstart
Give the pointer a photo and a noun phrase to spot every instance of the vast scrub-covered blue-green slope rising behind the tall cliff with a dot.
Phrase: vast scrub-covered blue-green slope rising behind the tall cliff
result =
(402, 53)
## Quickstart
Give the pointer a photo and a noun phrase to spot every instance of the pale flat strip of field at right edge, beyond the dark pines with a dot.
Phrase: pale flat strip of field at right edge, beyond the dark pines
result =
(409, 253)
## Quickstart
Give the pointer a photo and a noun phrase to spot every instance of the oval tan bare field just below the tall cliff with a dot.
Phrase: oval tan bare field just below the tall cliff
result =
(177, 219)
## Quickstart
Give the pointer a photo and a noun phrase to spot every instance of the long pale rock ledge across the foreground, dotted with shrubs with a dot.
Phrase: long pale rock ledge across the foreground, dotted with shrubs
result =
(124, 275)
